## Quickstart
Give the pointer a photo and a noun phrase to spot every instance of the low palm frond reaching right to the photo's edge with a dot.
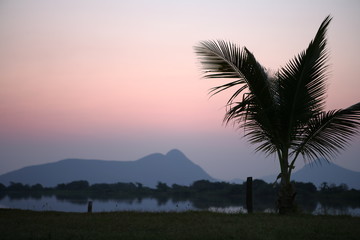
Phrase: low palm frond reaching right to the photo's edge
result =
(329, 132)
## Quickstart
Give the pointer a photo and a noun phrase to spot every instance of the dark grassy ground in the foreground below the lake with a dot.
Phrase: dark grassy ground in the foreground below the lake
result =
(20, 224)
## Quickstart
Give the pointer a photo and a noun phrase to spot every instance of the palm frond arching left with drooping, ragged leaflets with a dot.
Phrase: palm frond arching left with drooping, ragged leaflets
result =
(256, 112)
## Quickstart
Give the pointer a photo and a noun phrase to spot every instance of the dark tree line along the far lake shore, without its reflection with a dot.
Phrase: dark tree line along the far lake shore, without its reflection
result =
(261, 189)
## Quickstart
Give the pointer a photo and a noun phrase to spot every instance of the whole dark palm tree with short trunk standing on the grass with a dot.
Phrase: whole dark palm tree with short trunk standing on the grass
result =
(282, 113)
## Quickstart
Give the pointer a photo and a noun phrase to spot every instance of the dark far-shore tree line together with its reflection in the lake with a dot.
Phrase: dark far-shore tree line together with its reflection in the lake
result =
(202, 194)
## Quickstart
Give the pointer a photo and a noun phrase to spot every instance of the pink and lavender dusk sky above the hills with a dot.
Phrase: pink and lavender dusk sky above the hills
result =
(118, 80)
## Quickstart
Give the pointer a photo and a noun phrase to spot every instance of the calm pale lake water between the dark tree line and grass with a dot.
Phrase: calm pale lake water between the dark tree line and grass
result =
(52, 203)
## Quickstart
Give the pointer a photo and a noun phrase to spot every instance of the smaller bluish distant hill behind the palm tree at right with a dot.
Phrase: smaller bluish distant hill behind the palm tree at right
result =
(326, 172)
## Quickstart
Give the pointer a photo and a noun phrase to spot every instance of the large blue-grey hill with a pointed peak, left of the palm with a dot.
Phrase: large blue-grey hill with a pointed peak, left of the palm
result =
(174, 167)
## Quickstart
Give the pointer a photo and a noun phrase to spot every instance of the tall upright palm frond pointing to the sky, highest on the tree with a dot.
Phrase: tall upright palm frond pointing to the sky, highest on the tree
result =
(302, 84)
